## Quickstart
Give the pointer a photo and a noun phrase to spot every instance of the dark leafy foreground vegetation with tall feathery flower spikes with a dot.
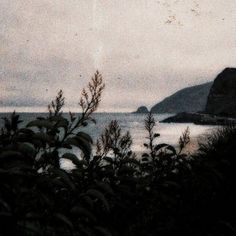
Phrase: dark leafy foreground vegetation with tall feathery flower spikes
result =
(165, 192)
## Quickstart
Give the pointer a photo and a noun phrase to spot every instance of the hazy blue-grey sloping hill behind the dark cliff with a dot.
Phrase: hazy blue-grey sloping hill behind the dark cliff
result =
(190, 99)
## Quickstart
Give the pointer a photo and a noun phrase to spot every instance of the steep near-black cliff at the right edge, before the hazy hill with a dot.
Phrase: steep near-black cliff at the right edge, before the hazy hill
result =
(222, 96)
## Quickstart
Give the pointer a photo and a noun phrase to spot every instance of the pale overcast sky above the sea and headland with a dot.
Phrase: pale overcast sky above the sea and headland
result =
(145, 49)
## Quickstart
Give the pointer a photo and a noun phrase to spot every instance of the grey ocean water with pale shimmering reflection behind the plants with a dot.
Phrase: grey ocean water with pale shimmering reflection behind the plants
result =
(134, 123)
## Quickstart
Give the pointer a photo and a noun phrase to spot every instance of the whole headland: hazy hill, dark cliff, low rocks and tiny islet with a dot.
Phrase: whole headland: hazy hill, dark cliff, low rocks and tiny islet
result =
(209, 103)
